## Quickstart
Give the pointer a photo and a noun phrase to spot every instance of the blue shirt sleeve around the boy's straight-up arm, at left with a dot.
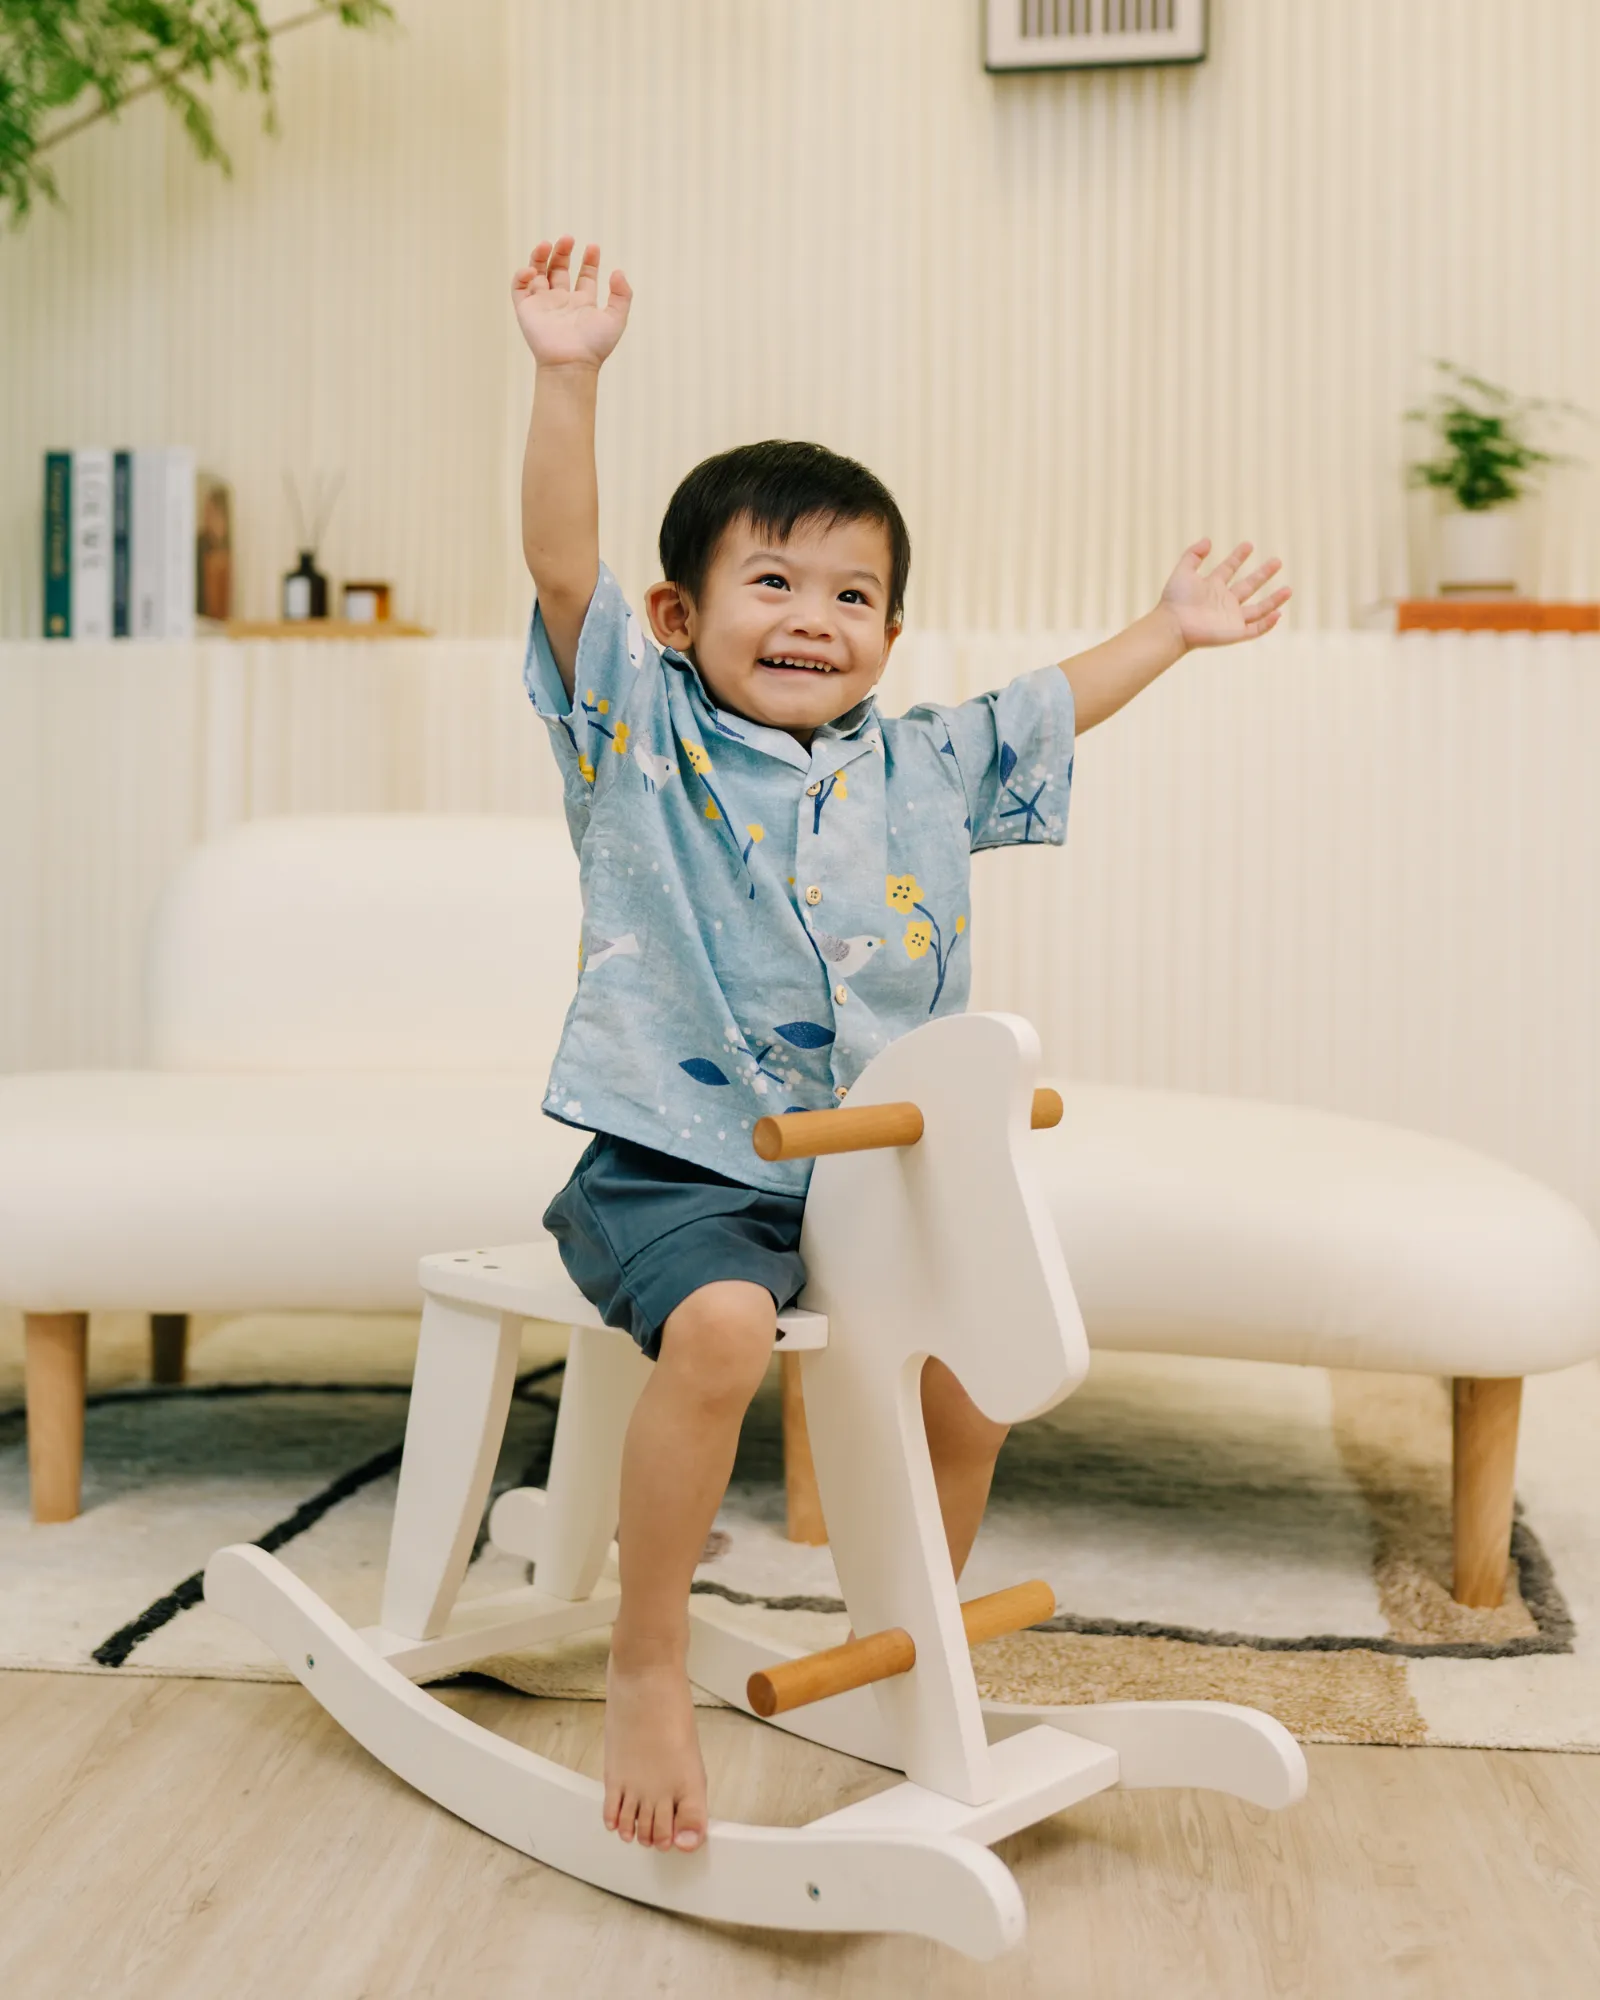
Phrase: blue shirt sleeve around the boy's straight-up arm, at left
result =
(617, 677)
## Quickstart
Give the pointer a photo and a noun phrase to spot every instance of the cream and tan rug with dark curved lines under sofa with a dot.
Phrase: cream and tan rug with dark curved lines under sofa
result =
(1231, 1531)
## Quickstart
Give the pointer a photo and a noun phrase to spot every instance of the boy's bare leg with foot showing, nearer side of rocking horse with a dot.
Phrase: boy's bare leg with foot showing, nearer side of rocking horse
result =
(675, 1471)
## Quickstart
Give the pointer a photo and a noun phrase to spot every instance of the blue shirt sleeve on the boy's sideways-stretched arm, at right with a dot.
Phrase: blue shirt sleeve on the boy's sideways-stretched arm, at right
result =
(1013, 751)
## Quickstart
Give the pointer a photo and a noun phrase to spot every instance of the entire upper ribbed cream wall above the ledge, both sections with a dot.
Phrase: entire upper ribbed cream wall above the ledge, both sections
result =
(1071, 319)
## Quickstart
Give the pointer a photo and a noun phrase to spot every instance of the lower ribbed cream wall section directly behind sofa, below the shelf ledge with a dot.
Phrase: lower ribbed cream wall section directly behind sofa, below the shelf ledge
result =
(1337, 871)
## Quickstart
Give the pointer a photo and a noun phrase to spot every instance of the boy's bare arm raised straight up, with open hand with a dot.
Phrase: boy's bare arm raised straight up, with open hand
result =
(569, 335)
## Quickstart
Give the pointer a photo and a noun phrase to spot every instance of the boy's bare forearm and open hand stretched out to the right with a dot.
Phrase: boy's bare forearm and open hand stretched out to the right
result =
(1195, 611)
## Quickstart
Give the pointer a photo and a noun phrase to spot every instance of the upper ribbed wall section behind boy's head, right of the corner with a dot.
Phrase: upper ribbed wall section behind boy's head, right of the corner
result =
(1077, 319)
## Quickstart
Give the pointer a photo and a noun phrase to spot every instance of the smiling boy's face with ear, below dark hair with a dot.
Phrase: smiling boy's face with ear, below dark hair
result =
(819, 599)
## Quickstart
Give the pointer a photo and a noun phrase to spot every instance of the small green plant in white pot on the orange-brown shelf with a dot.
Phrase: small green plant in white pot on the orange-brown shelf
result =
(1487, 463)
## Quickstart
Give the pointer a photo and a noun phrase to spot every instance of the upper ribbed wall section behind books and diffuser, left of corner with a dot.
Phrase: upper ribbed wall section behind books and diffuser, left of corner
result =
(341, 303)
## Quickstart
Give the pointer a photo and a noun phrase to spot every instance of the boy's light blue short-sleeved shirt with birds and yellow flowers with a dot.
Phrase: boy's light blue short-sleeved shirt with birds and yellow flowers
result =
(759, 917)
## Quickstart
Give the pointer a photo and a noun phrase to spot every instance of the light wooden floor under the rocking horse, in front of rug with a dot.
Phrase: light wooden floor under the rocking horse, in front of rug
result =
(223, 1841)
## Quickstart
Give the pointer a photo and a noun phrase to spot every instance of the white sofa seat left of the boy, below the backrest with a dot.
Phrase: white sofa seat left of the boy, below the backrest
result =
(169, 1193)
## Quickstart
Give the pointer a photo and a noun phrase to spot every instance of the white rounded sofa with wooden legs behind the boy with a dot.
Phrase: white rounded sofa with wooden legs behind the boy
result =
(349, 1031)
